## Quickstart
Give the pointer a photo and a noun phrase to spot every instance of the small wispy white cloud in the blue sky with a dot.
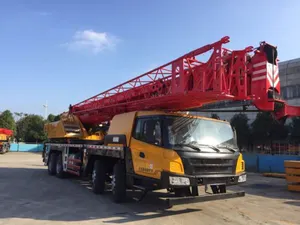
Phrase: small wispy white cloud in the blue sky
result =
(92, 41)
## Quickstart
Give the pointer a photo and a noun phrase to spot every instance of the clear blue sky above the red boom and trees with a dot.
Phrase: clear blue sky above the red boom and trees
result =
(66, 51)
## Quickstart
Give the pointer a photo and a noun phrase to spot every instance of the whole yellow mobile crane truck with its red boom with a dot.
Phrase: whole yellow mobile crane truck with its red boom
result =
(143, 135)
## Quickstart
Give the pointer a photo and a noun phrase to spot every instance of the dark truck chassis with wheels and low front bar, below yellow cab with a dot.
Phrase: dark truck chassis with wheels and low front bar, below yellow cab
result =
(103, 164)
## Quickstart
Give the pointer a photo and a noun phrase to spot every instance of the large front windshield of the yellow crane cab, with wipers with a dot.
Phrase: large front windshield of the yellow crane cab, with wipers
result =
(194, 133)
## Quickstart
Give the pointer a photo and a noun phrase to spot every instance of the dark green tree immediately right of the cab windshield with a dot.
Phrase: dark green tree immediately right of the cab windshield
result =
(240, 123)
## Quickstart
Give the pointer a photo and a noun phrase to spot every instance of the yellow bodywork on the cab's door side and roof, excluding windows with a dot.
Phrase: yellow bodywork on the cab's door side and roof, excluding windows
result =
(157, 159)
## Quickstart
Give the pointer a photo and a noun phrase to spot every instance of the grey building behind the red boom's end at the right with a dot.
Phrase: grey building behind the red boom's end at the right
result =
(289, 73)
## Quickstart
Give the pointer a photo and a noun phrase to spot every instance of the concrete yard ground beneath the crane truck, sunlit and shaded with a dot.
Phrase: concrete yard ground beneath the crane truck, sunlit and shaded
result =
(29, 196)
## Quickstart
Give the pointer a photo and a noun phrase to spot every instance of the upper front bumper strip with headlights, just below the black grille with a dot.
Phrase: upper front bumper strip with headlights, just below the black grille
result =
(216, 179)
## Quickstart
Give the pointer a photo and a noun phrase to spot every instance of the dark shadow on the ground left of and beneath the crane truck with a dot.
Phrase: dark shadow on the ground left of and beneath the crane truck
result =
(32, 193)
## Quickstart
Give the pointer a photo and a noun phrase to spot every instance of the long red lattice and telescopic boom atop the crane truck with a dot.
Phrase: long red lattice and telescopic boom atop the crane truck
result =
(186, 83)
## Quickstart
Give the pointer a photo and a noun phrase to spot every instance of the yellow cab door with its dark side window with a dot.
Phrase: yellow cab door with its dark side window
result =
(145, 145)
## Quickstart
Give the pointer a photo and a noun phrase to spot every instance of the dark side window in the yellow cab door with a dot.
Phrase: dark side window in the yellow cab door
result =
(148, 130)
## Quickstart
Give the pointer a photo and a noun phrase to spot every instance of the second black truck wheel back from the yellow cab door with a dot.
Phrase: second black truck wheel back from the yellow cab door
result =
(98, 177)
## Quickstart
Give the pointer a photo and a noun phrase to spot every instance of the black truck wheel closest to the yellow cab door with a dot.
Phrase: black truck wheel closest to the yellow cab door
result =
(118, 183)
